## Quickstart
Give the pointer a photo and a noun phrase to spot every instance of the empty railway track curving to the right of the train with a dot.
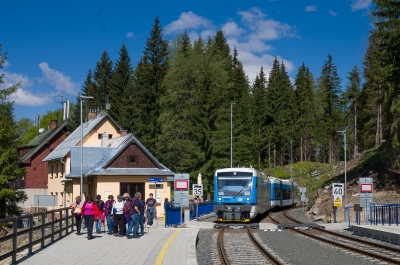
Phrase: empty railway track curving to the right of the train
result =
(348, 243)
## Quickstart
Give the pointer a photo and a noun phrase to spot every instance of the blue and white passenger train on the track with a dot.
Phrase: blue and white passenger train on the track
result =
(240, 194)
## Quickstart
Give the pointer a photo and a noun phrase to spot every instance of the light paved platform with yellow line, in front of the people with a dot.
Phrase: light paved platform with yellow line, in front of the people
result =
(163, 246)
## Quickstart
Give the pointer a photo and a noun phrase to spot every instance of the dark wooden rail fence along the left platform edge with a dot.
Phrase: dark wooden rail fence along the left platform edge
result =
(64, 223)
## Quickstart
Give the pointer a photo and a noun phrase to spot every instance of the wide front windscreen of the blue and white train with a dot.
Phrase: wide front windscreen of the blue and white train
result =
(234, 186)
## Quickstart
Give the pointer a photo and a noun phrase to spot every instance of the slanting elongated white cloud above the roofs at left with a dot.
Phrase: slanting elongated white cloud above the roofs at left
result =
(59, 80)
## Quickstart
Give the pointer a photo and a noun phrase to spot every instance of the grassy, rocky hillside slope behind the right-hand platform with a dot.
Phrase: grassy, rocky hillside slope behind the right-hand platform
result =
(317, 178)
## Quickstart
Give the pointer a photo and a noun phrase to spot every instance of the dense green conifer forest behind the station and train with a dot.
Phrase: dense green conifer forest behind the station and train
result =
(184, 96)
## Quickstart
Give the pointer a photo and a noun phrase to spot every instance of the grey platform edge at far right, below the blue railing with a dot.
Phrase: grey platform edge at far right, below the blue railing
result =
(385, 233)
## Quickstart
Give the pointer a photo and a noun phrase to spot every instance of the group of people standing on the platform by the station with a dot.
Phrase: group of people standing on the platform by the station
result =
(123, 216)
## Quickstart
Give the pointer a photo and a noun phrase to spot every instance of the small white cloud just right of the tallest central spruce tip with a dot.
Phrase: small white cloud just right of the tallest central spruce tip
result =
(187, 20)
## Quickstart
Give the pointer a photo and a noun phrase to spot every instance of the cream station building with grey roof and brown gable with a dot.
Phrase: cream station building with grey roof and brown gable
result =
(114, 162)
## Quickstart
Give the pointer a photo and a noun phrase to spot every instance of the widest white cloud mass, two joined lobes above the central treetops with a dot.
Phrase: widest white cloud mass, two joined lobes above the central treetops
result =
(250, 36)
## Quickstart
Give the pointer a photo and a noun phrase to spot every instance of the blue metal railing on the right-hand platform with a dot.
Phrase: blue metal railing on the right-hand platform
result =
(387, 214)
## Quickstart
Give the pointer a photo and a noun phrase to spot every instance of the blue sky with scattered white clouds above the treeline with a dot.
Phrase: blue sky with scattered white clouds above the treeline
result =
(51, 45)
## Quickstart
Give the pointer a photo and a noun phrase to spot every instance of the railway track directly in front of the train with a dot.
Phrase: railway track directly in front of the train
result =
(239, 247)
